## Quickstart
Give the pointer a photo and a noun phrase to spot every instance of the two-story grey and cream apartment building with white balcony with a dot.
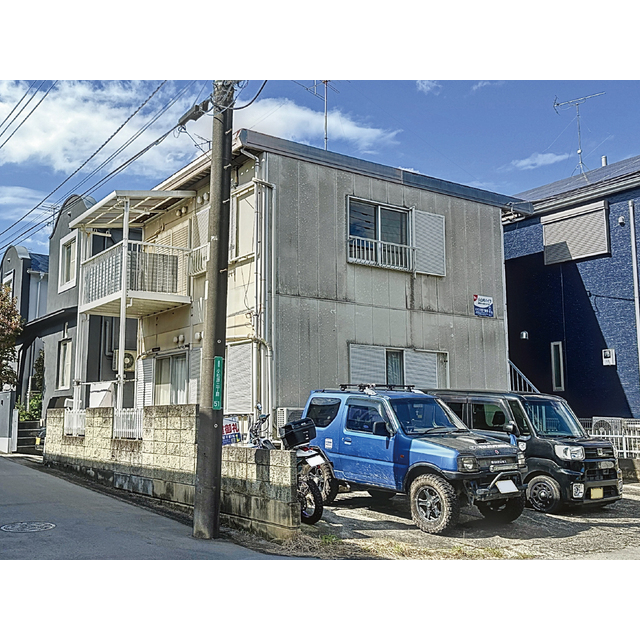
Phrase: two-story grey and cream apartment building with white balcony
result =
(340, 270)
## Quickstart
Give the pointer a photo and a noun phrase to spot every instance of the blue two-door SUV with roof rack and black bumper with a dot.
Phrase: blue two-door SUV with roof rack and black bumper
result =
(390, 439)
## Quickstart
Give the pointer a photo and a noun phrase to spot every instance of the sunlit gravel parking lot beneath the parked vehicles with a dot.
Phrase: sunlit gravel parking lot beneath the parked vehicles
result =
(356, 526)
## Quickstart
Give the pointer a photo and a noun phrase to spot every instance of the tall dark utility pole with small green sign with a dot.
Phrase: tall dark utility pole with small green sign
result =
(206, 511)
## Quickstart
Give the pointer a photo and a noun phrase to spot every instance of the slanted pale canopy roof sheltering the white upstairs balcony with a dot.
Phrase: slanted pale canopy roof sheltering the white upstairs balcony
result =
(109, 212)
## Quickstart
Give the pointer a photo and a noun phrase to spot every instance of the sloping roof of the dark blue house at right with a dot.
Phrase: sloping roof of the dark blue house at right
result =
(597, 183)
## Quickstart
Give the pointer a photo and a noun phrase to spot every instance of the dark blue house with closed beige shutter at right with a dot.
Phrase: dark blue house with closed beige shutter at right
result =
(573, 290)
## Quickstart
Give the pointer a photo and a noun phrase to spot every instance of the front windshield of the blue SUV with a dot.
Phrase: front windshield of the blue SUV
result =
(419, 416)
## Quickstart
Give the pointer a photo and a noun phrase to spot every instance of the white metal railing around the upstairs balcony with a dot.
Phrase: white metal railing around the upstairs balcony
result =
(151, 268)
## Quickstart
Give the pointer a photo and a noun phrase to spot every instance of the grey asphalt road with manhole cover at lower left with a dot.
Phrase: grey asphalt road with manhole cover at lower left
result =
(92, 526)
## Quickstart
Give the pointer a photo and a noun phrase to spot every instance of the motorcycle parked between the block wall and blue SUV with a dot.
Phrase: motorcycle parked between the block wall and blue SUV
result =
(308, 492)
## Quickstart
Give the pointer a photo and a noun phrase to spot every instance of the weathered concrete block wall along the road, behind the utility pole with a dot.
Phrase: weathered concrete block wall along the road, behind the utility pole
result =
(258, 486)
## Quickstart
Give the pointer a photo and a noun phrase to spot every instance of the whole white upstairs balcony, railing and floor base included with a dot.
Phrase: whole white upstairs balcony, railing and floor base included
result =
(157, 279)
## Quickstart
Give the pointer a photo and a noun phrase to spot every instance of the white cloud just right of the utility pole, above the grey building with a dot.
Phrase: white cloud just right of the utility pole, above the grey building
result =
(284, 118)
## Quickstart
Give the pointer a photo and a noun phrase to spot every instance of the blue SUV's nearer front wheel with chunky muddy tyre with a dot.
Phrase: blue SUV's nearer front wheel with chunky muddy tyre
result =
(434, 504)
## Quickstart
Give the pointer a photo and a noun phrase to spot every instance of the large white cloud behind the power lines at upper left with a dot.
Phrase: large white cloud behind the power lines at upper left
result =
(78, 117)
